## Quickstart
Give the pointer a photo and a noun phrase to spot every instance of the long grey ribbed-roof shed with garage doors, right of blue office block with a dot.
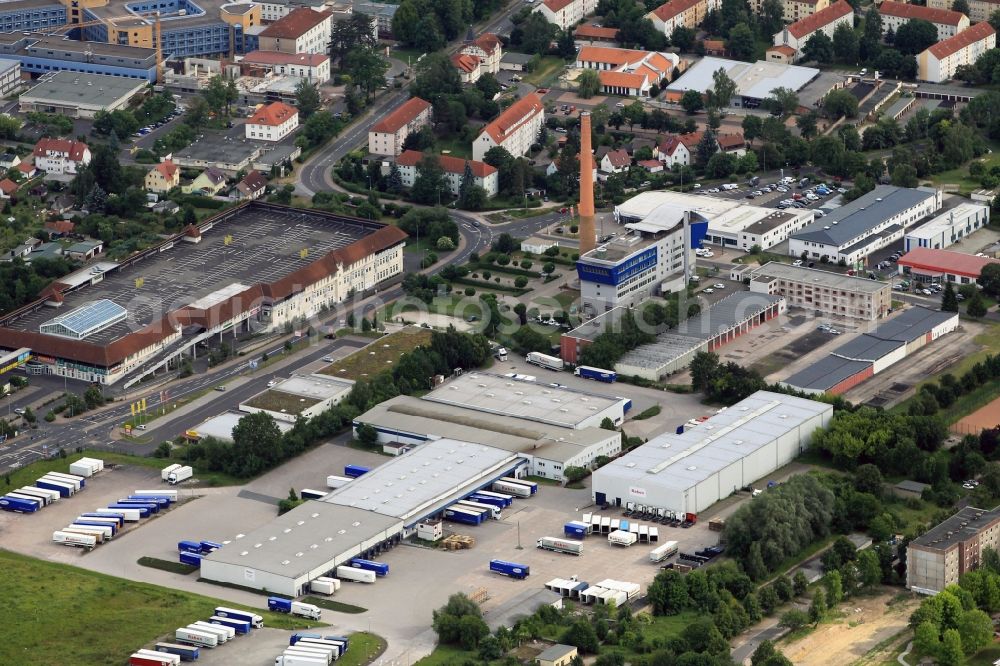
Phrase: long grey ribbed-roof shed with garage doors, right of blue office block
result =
(720, 324)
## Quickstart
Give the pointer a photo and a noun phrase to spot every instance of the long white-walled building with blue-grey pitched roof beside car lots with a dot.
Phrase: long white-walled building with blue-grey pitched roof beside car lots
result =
(869, 223)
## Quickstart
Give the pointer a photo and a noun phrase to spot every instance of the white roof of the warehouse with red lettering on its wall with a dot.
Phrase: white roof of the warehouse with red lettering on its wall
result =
(679, 462)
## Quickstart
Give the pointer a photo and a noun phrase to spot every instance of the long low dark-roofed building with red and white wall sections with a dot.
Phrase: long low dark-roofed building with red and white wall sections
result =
(871, 353)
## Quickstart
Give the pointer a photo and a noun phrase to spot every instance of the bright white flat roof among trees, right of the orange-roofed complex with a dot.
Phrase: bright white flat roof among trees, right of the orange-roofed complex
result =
(757, 80)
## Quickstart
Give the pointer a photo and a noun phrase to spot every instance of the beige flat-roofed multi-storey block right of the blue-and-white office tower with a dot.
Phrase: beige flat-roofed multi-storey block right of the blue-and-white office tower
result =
(823, 291)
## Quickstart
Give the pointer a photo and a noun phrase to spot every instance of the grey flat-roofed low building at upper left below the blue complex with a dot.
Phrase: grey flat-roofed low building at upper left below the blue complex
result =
(79, 94)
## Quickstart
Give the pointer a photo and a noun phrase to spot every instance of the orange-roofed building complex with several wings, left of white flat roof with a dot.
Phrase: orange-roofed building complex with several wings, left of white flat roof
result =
(627, 71)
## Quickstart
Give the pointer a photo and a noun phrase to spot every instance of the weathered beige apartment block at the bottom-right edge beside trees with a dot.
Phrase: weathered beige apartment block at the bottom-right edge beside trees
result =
(937, 558)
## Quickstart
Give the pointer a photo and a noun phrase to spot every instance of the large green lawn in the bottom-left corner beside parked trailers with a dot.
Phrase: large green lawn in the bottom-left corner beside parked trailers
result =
(105, 618)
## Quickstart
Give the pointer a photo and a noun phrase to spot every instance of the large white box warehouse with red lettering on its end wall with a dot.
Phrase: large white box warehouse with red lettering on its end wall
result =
(687, 473)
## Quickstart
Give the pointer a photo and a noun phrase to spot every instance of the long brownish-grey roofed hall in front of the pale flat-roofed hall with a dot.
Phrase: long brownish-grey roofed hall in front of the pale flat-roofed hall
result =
(422, 417)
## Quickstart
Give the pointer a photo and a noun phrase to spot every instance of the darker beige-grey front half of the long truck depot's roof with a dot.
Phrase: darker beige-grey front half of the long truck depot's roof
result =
(304, 539)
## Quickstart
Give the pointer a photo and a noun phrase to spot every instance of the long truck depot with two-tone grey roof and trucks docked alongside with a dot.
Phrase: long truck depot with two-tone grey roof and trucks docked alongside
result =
(365, 517)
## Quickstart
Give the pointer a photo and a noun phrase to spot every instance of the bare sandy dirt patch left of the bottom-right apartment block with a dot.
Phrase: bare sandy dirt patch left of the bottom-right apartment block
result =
(865, 624)
